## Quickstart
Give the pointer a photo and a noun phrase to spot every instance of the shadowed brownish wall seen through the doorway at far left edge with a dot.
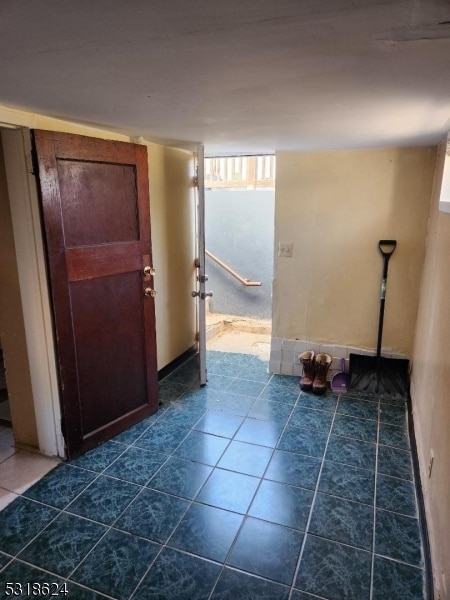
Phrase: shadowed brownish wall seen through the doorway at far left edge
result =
(12, 329)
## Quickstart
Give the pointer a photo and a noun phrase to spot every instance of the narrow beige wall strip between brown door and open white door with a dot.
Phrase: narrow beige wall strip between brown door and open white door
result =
(172, 211)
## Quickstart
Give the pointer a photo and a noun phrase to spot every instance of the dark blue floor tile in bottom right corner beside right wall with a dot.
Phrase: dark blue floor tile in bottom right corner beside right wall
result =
(396, 581)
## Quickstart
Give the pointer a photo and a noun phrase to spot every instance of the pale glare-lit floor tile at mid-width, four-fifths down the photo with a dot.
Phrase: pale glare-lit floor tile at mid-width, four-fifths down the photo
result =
(228, 490)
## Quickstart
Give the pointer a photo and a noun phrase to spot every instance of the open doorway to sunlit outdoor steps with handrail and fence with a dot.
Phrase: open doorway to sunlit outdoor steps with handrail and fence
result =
(239, 234)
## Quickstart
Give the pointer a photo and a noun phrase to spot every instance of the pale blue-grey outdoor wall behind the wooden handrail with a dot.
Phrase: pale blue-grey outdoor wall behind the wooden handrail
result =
(239, 227)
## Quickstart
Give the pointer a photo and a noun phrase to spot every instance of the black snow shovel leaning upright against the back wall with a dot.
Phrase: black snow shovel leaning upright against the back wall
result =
(376, 374)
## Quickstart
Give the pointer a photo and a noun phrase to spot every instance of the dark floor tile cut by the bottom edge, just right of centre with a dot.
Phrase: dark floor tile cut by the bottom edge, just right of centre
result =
(233, 585)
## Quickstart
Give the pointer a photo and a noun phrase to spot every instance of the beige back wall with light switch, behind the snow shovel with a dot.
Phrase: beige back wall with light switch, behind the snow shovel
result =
(334, 207)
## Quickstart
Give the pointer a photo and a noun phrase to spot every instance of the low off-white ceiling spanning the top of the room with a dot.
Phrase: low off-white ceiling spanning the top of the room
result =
(239, 76)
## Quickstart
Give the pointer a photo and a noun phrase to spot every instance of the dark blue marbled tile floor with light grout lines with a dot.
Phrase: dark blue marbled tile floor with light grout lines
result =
(245, 489)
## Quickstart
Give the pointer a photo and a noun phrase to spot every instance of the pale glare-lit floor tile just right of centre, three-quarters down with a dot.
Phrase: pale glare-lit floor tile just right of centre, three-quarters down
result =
(246, 458)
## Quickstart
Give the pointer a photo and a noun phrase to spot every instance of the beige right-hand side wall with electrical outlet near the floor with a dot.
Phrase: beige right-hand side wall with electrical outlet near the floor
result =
(430, 386)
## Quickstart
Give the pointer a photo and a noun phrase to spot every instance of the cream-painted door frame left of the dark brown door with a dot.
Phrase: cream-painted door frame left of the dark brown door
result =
(31, 263)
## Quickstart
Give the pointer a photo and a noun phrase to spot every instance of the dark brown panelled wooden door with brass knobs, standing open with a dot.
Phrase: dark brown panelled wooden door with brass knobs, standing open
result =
(96, 213)
